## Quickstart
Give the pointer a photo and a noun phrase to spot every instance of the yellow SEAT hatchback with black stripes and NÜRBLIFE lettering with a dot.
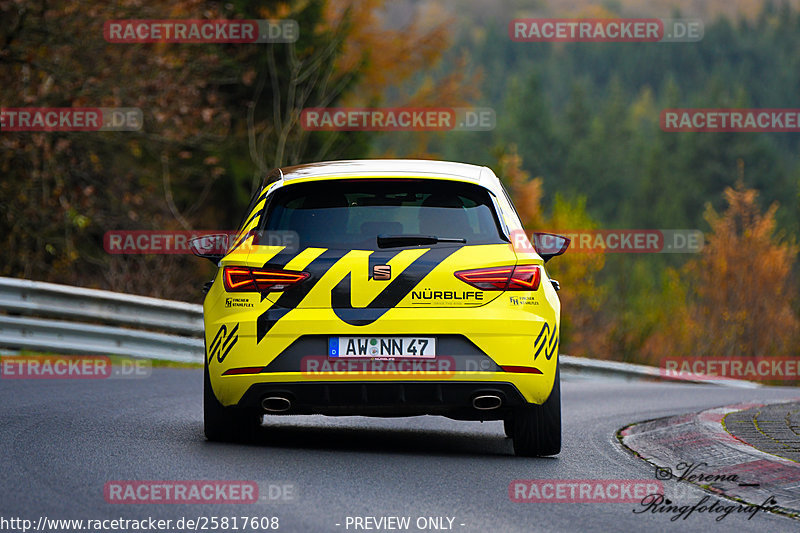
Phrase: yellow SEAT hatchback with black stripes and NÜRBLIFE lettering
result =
(383, 288)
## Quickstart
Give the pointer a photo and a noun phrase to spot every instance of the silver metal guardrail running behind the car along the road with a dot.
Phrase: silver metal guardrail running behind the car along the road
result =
(47, 304)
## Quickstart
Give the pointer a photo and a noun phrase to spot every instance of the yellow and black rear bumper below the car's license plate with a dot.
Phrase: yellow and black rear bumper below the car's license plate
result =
(400, 387)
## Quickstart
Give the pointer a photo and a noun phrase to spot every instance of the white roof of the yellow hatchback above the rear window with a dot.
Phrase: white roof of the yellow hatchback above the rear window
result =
(370, 168)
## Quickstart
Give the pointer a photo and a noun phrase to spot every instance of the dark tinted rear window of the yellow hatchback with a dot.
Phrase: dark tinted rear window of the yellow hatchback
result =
(352, 213)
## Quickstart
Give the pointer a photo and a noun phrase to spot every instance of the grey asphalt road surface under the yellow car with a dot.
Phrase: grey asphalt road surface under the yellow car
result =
(62, 441)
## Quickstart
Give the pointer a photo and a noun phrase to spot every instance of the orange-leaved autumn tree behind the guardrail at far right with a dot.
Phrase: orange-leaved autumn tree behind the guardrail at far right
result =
(739, 293)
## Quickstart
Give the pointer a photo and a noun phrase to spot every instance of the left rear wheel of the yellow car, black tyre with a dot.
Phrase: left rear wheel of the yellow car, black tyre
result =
(226, 424)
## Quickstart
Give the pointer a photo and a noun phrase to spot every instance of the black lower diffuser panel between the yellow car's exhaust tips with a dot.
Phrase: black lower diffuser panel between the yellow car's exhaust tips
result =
(387, 398)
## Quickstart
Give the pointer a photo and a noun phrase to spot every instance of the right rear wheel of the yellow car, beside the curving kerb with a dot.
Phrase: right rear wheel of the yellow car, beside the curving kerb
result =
(536, 429)
